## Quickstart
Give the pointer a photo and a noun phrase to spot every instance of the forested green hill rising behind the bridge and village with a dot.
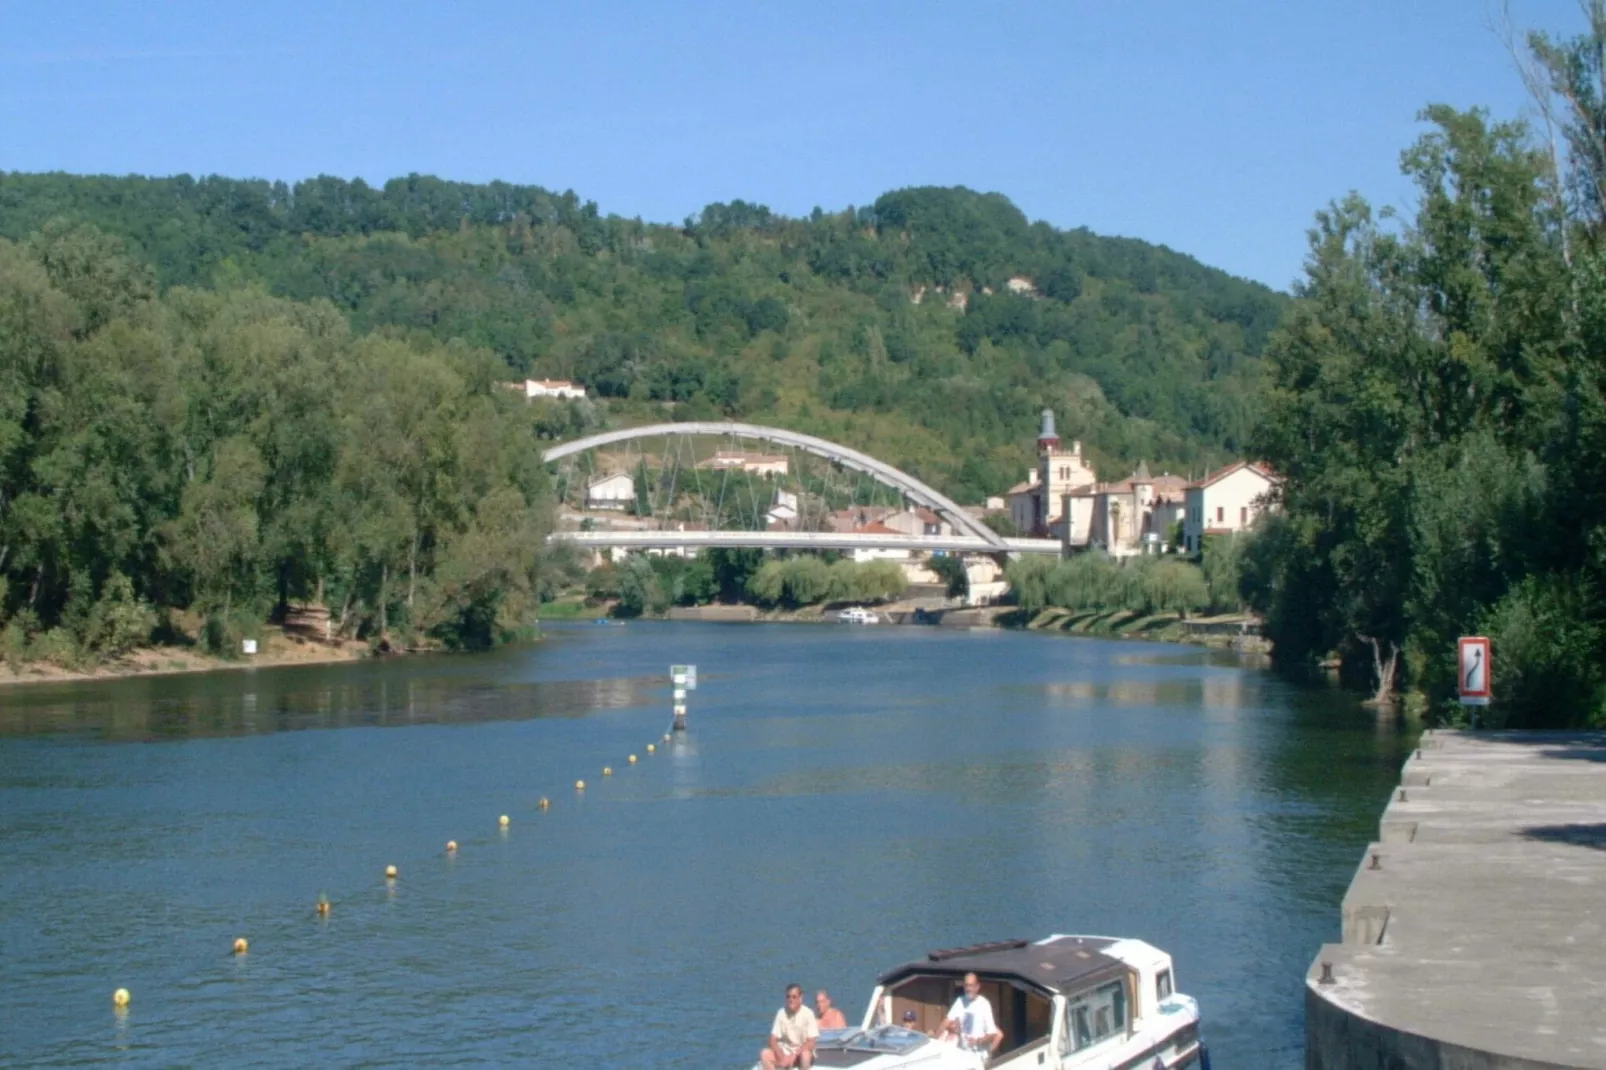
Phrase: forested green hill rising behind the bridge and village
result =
(892, 327)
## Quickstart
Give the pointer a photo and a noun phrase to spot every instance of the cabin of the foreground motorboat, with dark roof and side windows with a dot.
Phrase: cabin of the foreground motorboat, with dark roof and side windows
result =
(1064, 1002)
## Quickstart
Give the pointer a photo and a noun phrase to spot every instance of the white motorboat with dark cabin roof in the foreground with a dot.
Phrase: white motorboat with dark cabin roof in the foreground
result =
(1067, 1003)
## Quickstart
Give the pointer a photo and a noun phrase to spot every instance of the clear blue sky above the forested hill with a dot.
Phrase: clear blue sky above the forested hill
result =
(1215, 129)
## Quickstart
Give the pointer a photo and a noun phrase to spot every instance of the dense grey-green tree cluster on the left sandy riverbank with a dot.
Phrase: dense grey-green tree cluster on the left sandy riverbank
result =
(230, 452)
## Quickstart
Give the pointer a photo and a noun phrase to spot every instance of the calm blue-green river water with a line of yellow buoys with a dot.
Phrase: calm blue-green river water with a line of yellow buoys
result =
(846, 799)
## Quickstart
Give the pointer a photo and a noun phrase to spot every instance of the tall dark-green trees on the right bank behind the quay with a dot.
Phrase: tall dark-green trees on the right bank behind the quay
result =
(1438, 406)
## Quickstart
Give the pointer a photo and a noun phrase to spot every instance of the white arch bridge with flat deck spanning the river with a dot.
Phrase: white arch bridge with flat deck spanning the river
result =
(680, 484)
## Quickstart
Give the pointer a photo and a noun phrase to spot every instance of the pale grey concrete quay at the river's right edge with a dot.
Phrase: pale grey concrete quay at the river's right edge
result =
(1475, 929)
